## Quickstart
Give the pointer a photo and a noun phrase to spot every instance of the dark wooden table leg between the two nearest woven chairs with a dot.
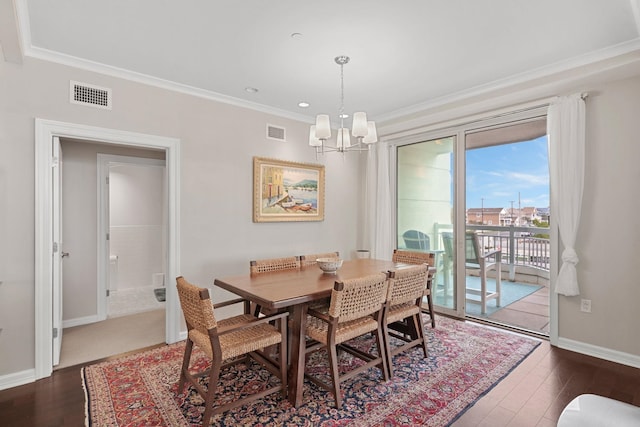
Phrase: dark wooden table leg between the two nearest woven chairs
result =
(296, 369)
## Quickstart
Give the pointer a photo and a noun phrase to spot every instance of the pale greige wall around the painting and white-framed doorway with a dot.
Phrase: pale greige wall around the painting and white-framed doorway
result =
(218, 143)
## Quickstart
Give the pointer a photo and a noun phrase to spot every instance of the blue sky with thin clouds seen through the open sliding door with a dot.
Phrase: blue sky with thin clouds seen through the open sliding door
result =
(499, 173)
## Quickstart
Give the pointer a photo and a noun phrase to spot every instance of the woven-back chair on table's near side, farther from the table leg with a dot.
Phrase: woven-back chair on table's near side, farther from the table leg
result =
(402, 318)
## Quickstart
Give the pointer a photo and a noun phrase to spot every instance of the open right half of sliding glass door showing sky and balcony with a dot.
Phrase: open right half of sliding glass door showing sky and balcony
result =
(507, 213)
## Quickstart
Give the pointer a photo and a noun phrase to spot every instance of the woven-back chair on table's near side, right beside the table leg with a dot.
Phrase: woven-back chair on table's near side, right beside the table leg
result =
(355, 309)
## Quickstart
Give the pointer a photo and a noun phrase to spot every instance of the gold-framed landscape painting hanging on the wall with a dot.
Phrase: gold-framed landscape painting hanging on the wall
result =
(287, 191)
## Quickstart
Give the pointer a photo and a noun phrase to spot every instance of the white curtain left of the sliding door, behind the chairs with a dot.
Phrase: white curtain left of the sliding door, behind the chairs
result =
(378, 235)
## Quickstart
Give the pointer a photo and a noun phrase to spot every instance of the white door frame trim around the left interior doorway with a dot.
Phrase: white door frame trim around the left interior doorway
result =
(45, 130)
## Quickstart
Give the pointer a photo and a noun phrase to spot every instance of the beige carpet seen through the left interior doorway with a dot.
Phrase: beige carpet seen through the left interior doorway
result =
(87, 343)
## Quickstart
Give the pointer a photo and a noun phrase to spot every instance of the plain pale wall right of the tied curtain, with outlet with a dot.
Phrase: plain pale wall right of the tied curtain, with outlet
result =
(608, 242)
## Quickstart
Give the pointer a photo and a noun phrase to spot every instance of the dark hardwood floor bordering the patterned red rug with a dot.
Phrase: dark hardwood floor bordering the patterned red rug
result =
(532, 395)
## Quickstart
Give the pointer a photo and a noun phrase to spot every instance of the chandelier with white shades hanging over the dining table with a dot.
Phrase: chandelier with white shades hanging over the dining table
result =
(362, 130)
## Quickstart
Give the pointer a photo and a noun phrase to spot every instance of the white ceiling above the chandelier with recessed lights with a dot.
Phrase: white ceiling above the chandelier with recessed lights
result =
(404, 54)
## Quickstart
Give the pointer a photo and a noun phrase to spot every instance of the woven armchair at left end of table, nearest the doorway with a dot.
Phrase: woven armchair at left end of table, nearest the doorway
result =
(224, 342)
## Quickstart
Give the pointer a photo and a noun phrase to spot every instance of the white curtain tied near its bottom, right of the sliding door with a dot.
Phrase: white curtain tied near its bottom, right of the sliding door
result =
(566, 136)
